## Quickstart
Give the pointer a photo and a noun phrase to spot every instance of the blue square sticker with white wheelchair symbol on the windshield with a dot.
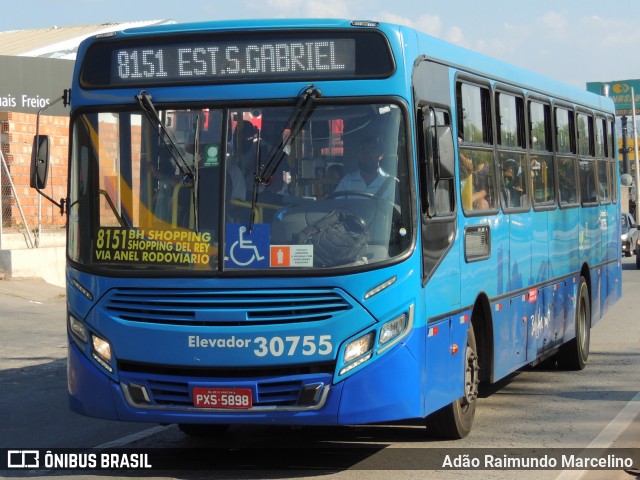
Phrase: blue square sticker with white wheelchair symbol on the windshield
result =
(247, 249)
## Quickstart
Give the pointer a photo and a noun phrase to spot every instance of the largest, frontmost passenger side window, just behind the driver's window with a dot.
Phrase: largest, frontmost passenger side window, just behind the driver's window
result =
(475, 149)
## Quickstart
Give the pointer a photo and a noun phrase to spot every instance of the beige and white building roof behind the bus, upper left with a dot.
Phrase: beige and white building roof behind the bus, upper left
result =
(59, 42)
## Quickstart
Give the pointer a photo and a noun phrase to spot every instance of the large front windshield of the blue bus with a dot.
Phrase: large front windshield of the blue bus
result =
(251, 187)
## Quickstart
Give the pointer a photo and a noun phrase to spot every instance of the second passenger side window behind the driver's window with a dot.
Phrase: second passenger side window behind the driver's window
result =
(511, 152)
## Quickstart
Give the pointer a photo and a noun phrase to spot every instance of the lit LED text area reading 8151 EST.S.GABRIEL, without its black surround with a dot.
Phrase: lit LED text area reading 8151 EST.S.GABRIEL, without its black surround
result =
(234, 60)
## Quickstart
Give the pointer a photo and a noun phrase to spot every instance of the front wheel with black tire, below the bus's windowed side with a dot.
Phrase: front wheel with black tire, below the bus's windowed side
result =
(456, 419)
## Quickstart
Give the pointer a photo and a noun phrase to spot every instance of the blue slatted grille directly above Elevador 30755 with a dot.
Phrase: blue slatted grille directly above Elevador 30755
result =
(224, 308)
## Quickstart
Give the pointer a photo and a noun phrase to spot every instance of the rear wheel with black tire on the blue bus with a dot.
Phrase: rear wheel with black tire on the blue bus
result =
(575, 354)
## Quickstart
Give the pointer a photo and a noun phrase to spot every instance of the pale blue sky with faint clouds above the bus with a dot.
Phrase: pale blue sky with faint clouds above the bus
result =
(574, 41)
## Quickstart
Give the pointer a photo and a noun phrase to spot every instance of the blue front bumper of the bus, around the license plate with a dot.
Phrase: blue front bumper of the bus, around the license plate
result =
(384, 391)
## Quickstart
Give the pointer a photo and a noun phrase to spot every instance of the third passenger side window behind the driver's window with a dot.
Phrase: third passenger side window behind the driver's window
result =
(541, 157)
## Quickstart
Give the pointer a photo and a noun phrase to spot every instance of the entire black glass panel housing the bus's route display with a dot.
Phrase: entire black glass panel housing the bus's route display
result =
(233, 58)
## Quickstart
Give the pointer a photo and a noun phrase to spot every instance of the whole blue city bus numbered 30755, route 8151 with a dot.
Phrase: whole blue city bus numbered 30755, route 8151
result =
(326, 222)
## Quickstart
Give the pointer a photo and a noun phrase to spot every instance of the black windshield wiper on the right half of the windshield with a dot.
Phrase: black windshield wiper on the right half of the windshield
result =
(297, 120)
